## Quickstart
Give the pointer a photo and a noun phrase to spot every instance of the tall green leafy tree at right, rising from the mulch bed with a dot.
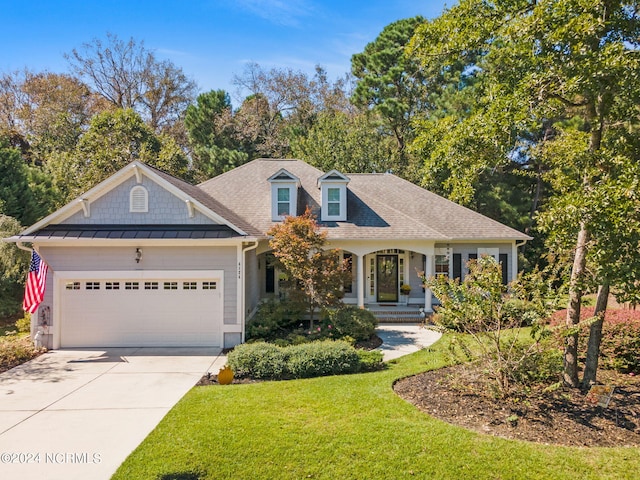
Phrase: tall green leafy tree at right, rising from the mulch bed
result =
(548, 64)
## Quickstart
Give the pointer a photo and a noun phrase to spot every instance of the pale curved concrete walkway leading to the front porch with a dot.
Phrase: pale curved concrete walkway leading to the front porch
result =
(403, 339)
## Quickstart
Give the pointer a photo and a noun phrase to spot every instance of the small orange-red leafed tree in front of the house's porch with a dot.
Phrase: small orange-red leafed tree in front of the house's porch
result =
(317, 274)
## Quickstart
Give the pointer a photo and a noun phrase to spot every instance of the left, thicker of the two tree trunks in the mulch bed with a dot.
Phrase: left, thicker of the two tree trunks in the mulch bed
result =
(570, 374)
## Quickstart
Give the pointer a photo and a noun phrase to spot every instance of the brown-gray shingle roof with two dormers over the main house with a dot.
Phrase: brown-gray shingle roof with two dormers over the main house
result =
(380, 206)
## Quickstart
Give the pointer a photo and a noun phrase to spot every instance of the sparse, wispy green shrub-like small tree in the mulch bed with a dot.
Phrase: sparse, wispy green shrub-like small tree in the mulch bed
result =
(482, 307)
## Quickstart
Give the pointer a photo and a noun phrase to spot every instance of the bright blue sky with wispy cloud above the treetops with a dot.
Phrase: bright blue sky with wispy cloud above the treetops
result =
(211, 40)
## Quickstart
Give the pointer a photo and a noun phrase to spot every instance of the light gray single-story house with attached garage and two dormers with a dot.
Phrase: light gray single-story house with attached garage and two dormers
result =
(145, 259)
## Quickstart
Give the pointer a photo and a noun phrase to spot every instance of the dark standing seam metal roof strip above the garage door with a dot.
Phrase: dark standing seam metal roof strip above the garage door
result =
(136, 231)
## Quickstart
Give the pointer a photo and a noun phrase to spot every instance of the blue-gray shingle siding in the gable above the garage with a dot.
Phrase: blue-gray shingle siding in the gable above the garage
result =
(164, 208)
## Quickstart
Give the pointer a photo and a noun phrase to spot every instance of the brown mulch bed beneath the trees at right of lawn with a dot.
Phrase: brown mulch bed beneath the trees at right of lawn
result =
(562, 417)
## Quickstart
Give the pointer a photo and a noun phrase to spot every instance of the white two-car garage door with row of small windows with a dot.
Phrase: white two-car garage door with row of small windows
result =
(155, 310)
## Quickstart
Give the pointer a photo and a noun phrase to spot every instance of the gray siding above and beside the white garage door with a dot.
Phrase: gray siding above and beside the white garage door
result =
(100, 259)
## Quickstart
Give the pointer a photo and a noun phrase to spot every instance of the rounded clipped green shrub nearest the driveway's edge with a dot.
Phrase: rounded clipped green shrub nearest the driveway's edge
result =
(258, 360)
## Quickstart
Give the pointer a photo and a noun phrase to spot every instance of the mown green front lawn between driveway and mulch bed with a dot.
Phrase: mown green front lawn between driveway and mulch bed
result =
(345, 427)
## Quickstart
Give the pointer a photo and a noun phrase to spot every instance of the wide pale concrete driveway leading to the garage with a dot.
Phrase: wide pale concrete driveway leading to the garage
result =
(77, 414)
